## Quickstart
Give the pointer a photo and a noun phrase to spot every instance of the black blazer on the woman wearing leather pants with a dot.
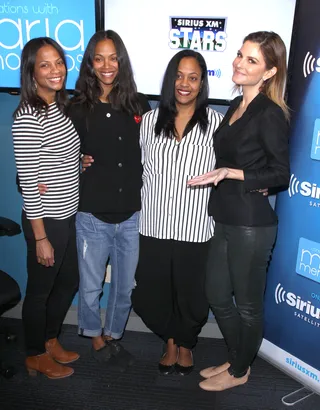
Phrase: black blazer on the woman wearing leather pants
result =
(257, 143)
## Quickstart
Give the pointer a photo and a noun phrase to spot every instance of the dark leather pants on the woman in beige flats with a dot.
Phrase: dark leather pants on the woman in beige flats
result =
(237, 265)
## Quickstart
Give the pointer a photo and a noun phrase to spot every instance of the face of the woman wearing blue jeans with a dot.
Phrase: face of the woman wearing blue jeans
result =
(105, 63)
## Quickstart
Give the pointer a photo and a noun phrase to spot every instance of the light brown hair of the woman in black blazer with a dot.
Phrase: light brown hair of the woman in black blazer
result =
(274, 52)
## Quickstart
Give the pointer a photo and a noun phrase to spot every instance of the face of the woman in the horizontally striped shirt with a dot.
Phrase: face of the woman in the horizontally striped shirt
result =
(49, 73)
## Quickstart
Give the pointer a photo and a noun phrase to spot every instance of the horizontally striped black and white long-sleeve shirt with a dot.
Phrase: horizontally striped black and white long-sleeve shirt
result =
(46, 148)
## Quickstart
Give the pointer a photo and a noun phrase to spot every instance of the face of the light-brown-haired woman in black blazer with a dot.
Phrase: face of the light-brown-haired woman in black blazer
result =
(249, 67)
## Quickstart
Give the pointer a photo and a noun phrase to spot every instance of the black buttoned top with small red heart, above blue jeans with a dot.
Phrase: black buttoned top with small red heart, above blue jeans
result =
(110, 187)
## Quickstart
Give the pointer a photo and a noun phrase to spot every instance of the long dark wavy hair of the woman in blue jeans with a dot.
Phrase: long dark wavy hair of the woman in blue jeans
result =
(123, 95)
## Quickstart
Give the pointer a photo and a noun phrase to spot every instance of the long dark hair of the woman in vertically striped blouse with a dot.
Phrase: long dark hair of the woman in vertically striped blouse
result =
(167, 106)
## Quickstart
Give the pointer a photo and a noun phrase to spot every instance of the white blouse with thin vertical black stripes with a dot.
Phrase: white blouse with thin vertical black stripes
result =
(171, 209)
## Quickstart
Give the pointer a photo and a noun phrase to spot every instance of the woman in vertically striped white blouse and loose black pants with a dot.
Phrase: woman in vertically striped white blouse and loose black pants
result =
(176, 141)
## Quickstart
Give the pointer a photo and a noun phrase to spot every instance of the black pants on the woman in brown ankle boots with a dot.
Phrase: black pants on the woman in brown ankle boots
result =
(49, 290)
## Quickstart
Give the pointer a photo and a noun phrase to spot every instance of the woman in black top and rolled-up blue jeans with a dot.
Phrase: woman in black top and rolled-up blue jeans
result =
(107, 114)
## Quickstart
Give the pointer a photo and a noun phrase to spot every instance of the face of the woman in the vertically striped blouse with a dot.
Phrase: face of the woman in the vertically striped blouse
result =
(188, 81)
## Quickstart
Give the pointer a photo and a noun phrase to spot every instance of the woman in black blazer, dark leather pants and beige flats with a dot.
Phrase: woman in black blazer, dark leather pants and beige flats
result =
(252, 153)
